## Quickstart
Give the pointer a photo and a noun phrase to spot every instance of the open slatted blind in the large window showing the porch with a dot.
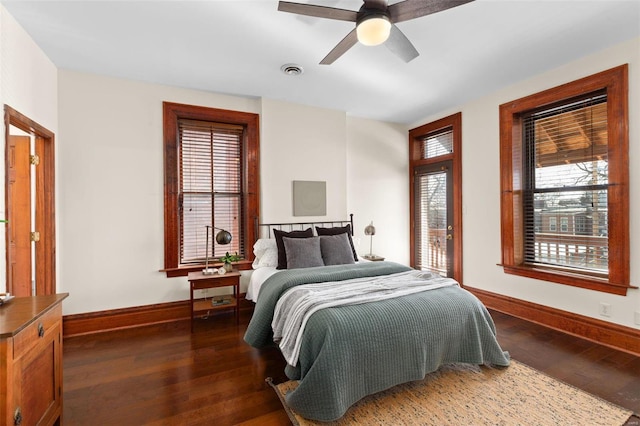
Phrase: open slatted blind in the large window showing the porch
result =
(566, 185)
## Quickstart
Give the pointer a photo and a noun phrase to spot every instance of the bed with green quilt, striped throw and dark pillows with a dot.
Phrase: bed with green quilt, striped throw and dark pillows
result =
(340, 350)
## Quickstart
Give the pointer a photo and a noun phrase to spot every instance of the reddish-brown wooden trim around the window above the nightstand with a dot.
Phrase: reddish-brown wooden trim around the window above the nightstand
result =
(172, 112)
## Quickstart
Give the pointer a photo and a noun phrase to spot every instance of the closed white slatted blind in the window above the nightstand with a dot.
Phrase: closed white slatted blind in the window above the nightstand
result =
(210, 188)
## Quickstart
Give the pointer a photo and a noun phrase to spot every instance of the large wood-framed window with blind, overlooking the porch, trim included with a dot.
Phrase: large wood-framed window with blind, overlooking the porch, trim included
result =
(565, 183)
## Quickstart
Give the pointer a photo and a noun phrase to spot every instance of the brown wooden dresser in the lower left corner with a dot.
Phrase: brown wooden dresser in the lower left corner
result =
(31, 361)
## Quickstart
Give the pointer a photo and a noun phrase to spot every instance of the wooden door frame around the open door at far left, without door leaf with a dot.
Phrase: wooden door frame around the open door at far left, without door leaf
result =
(45, 200)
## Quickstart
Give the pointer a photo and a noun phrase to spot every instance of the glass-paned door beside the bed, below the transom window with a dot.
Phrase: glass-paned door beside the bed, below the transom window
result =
(433, 218)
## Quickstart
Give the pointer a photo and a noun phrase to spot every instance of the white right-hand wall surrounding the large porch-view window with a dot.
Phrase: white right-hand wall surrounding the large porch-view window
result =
(481, 191)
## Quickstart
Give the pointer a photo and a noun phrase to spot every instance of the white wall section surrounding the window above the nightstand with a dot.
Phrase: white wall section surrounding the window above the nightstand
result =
(110, 197)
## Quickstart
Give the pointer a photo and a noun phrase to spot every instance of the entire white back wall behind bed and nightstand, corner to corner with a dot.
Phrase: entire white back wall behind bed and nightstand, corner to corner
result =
(111, 181)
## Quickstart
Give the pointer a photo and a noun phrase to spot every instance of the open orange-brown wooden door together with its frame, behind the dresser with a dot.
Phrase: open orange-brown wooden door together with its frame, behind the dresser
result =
(30, 206)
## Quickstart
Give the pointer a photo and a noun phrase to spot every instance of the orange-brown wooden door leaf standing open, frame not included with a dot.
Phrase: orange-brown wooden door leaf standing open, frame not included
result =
(19, 215)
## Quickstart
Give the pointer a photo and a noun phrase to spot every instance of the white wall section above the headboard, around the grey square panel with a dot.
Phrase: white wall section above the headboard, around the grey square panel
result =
(301, 143)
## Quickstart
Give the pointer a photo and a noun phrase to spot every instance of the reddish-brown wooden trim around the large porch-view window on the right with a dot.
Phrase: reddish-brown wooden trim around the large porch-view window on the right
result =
(615, 83)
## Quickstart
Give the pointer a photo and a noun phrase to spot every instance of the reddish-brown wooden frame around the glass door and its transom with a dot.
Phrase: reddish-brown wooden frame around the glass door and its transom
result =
(453, 122)
